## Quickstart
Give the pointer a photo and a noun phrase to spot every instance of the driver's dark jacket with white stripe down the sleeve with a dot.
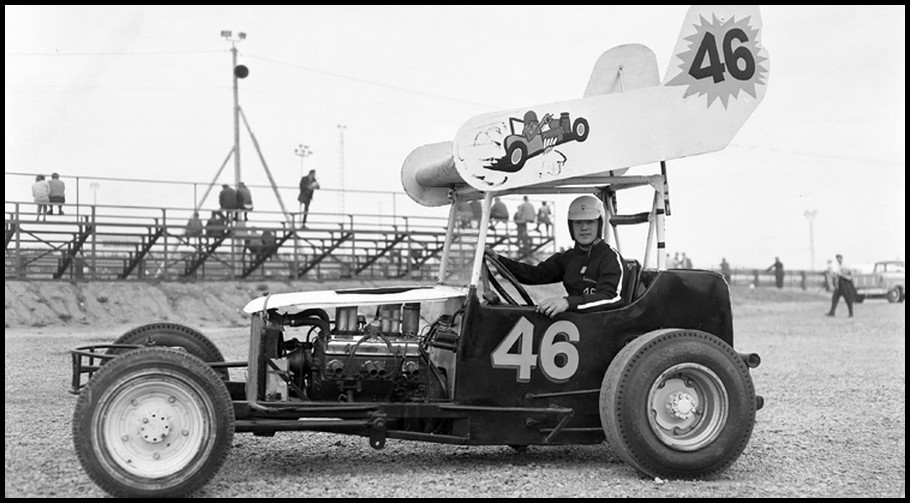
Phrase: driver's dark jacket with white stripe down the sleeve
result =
(593, 278)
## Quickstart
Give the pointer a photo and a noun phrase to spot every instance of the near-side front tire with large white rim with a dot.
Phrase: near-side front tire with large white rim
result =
(153, 422)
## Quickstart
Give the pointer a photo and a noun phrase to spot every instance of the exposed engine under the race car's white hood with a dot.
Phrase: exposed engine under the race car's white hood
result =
(350, 359)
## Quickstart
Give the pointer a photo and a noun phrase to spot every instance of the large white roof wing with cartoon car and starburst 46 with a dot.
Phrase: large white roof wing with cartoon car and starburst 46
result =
(716, 78)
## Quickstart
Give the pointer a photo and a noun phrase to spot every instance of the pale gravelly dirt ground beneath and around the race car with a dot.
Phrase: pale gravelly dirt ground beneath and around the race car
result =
(833, 424)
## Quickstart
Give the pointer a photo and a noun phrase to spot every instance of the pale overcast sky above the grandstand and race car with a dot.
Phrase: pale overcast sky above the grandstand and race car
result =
(145, 92)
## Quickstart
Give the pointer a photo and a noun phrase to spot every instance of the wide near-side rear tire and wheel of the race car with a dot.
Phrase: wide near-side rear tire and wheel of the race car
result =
(709, 389)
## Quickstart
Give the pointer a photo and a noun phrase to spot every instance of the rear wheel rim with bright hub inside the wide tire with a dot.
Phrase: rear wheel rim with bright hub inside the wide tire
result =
(687, 407)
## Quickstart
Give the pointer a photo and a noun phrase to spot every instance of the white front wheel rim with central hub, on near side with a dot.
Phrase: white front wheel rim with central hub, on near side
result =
(153, 426)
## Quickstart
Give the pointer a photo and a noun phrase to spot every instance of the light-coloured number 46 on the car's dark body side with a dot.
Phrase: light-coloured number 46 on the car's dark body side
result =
(550, 349)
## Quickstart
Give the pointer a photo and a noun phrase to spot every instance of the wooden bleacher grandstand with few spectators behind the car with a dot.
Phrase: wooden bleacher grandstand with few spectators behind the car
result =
(120, 242)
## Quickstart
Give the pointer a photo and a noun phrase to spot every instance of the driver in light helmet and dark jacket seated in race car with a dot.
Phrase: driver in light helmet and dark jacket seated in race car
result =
(591, 272)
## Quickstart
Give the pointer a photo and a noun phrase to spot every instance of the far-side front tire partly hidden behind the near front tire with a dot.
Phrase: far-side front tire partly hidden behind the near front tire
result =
(173, 335)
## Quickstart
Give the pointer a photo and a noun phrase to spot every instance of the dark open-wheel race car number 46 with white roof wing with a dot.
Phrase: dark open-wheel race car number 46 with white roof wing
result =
(469, 360)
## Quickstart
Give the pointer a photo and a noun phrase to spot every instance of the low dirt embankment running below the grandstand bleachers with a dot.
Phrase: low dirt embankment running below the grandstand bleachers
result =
(56, 303)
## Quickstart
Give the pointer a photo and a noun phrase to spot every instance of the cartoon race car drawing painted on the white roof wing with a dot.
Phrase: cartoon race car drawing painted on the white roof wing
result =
(531, 137)
